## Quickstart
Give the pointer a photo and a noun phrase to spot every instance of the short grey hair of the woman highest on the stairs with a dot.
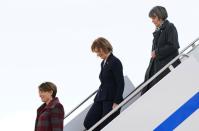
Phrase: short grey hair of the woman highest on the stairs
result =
(158, 11)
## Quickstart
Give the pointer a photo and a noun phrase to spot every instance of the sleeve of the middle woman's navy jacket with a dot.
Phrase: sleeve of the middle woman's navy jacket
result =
(119, 78)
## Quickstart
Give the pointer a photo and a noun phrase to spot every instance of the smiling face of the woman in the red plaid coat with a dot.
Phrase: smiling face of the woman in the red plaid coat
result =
(45, 96)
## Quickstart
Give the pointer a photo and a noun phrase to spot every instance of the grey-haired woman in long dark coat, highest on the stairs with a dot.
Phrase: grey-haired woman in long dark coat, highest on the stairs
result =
(165, 45)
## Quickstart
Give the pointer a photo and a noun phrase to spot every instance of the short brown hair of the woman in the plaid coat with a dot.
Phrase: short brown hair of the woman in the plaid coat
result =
(48, 86)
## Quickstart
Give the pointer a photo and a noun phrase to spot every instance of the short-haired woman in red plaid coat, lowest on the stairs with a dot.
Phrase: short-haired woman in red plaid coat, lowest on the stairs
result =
(50, 115)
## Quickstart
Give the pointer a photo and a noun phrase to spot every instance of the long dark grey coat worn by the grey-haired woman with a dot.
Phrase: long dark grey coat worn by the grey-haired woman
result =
(165, 45)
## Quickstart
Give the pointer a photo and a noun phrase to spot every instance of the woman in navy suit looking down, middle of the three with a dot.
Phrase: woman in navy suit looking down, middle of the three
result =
(111, 88)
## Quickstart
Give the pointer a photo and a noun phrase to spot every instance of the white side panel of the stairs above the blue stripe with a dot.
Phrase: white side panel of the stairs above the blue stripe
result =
(161, 101)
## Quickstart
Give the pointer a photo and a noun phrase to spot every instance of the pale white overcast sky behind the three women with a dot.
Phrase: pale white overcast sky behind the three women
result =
(49, 40)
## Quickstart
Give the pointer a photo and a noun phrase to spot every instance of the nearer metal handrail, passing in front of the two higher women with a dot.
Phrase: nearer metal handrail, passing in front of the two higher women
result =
(134, 93)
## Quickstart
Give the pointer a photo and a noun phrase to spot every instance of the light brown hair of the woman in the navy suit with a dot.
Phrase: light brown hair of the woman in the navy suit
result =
(102, 43)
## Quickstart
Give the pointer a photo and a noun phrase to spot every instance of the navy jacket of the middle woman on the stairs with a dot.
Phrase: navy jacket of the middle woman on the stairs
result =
(112, 81)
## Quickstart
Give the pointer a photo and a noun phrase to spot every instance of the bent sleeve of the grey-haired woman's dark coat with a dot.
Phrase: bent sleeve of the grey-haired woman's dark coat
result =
(171, 45)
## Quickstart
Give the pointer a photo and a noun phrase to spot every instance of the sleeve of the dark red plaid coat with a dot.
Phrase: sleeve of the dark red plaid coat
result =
(57, 118)
